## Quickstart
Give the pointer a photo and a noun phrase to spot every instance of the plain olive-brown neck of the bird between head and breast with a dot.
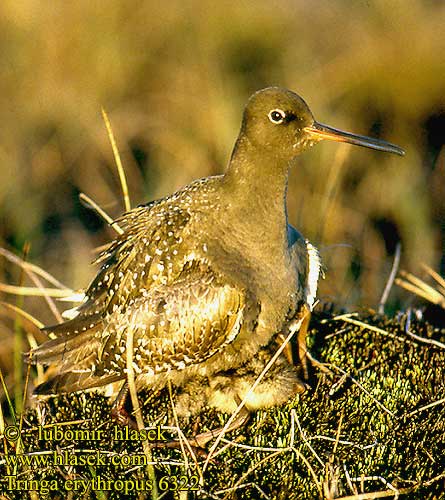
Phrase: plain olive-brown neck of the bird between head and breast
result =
(256, 181)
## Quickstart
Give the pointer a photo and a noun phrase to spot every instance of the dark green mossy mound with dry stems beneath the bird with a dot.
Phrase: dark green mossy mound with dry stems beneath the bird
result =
(376, 411)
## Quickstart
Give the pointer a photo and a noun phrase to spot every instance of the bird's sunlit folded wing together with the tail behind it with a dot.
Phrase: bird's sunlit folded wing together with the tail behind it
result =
(173, 326)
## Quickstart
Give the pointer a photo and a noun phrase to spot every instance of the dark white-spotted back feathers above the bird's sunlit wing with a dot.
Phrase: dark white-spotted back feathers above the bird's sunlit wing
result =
(146, 254)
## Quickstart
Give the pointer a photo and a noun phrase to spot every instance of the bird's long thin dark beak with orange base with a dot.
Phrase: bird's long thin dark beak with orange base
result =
(318, 132)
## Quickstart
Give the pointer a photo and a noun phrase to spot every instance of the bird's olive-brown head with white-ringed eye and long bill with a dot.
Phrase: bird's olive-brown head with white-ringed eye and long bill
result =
(279, 121)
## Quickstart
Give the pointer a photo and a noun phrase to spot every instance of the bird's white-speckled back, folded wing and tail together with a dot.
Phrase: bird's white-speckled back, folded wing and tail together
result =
(168, 278)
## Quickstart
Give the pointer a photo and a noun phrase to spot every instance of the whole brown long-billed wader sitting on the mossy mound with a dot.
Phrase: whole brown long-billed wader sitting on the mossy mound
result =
(202, 279)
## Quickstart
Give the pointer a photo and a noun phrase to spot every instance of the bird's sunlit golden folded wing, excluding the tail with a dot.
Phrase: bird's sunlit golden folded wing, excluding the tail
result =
(178, 325)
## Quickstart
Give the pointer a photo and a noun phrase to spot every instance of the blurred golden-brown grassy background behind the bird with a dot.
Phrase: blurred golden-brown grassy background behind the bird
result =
(174, 77)
